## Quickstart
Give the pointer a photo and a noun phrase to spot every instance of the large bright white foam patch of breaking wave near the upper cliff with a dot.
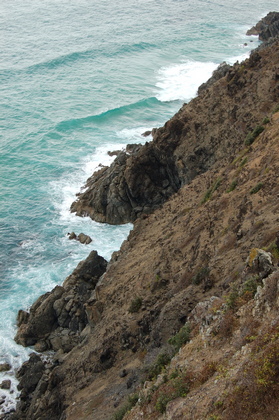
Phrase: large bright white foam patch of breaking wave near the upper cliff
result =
(181, 81)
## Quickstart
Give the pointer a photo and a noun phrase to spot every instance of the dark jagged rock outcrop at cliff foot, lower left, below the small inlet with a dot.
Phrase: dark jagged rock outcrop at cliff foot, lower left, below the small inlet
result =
(57, 318)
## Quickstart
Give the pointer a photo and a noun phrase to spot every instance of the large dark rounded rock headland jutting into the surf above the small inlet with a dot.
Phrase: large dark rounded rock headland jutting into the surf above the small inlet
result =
(136, 182)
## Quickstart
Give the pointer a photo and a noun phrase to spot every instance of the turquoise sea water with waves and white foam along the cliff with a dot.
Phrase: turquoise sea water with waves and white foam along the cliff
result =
(79, 78)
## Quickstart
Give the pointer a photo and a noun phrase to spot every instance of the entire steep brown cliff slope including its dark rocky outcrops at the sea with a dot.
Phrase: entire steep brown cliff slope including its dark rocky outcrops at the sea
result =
(207, 257)
